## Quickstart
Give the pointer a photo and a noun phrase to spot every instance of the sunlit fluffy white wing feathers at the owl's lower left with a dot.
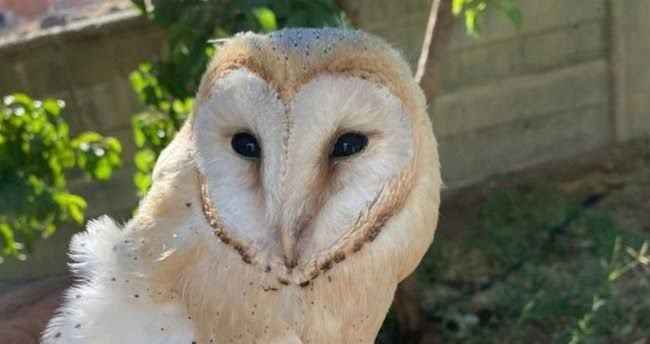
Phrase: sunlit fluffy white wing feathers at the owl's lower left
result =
(110, 304)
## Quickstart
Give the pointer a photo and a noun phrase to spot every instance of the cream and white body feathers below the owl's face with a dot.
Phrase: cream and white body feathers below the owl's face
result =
(186, 298)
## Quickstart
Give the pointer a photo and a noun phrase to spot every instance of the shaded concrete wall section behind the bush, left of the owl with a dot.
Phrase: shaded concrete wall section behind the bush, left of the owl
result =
(87, 65)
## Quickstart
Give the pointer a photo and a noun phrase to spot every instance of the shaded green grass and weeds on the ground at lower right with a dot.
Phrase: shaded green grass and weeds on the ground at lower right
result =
(537, 266)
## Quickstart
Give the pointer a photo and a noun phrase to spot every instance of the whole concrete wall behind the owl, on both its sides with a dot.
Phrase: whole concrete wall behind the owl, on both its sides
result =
(571, 79)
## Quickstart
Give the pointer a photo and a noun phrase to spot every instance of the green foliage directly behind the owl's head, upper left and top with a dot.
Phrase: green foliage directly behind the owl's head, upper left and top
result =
(167, 86)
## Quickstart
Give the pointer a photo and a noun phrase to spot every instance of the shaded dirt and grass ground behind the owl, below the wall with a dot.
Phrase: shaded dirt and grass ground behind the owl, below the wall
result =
(489, 278)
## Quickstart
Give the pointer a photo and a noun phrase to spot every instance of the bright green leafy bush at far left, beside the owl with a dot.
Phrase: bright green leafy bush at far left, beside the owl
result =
(36, 151)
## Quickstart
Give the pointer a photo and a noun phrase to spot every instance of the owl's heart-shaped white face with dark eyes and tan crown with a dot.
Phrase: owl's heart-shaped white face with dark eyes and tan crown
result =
(304, 152)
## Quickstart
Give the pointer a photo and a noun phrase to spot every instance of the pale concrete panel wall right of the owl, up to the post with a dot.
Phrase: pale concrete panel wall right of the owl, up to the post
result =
(514, 97)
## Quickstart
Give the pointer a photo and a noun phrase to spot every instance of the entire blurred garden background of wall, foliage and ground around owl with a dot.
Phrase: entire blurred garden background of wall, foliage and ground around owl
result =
(541, 109)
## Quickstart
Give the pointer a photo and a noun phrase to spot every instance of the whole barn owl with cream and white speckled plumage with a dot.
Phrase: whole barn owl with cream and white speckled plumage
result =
(302, 190)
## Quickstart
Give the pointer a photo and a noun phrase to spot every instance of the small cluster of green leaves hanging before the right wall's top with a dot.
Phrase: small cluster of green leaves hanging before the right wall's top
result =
(473, 10)
